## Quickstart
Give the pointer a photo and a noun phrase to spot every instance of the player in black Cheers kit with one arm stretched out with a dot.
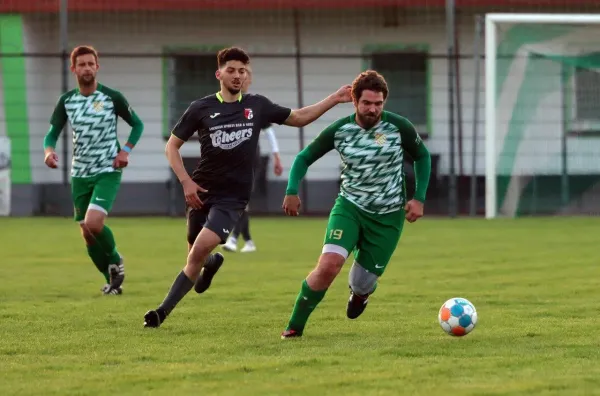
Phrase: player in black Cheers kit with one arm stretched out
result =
(228, 126)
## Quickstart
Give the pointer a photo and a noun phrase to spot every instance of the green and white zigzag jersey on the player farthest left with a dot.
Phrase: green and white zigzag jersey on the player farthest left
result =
(93, 119)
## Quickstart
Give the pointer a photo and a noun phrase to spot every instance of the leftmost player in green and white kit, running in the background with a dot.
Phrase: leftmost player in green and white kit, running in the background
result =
(92, 110)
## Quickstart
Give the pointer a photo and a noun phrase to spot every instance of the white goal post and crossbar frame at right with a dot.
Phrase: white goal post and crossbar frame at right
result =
(492, 39)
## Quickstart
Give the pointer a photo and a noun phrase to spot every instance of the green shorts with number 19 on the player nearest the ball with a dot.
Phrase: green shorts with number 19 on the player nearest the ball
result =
(371, 237)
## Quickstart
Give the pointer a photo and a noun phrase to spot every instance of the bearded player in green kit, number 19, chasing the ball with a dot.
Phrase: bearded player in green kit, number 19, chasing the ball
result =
(369, 213)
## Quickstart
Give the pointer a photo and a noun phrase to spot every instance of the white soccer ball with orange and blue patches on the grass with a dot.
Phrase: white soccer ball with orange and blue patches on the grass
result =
(458, 316)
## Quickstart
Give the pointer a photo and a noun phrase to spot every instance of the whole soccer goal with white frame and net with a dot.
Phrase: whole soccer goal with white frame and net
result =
(542, 114)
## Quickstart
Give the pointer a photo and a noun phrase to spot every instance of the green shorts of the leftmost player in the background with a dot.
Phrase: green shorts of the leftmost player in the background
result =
(95, 192)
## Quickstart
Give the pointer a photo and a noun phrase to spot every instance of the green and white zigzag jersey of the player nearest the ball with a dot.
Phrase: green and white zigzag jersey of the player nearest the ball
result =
(372, 176)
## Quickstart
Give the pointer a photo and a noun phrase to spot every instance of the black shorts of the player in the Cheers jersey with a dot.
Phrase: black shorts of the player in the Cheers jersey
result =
(219, 215)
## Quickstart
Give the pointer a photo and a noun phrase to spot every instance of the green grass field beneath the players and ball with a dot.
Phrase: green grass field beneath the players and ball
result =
(534, 283)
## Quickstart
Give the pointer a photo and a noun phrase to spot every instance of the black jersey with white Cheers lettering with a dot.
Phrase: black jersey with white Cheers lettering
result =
(228, 134)
